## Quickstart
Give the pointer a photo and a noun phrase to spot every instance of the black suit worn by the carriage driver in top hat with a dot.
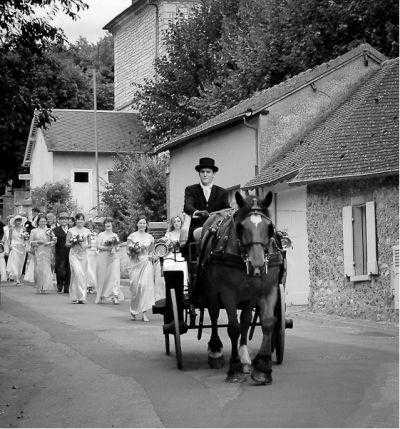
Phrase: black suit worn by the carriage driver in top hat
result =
(195, 200)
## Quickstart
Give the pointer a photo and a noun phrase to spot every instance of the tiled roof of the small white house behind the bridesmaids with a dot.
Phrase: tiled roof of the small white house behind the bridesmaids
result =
(73, 131)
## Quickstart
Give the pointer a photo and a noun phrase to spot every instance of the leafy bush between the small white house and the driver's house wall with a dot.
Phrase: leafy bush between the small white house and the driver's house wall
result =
(138, 189)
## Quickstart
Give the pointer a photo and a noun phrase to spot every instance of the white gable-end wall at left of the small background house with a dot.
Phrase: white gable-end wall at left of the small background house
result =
(41, 167)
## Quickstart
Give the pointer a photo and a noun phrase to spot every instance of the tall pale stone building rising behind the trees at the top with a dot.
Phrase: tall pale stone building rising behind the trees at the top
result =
(138, 40)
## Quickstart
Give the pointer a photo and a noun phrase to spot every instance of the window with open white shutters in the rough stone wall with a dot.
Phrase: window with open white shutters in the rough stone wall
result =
(359, 241)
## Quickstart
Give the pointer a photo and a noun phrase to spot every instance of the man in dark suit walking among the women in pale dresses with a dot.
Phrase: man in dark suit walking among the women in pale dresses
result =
(61, 251)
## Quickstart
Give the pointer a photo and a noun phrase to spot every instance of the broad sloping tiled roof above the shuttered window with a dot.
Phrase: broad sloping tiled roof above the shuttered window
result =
(360, 138)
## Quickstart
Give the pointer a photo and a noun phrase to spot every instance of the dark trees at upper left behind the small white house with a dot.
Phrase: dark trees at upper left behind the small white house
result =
(41, 71)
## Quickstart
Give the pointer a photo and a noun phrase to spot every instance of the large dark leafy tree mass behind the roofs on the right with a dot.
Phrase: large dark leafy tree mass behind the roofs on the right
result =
(228, 49)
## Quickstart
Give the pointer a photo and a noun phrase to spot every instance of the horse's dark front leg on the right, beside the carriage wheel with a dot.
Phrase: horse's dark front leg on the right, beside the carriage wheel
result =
(262, 363)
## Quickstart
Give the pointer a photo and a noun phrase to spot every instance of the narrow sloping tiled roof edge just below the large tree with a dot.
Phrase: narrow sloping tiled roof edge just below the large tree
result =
(261, 100)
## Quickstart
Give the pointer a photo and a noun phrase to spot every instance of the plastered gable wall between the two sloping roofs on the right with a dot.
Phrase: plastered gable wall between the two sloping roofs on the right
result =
(292, 116)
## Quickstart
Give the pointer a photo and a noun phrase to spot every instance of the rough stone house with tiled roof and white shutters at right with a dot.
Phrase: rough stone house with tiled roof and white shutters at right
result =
(348, 166)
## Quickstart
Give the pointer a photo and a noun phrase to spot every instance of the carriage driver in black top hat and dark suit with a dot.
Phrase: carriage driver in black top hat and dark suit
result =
(205, 197)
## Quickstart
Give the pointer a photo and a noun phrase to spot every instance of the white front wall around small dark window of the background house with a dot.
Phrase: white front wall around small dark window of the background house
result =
(66, 163)
